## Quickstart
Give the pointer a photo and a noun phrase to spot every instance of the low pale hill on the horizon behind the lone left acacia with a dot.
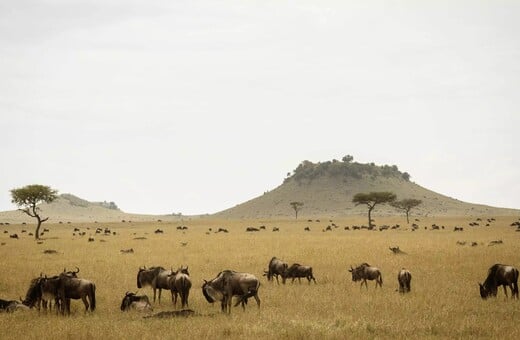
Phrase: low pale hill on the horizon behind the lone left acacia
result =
(70, 208)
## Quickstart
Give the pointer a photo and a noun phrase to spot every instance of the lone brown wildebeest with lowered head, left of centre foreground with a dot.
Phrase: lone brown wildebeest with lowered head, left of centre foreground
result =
(229, 283)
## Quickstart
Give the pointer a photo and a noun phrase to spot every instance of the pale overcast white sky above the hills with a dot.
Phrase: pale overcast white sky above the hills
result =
(196, 106)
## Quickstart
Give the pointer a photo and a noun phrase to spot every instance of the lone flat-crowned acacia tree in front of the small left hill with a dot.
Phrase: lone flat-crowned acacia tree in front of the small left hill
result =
(27, 198)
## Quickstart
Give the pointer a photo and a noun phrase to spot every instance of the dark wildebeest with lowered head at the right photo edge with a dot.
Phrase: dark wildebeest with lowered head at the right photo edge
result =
(500, 275)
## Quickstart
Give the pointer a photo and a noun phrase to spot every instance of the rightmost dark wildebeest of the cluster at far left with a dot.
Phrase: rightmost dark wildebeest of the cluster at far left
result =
(72, 287)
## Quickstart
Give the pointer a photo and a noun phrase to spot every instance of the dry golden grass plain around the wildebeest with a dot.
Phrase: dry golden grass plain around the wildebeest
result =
(444, 302)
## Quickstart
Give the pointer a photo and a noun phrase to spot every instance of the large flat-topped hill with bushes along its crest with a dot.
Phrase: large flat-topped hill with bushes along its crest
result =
(327, 189)
